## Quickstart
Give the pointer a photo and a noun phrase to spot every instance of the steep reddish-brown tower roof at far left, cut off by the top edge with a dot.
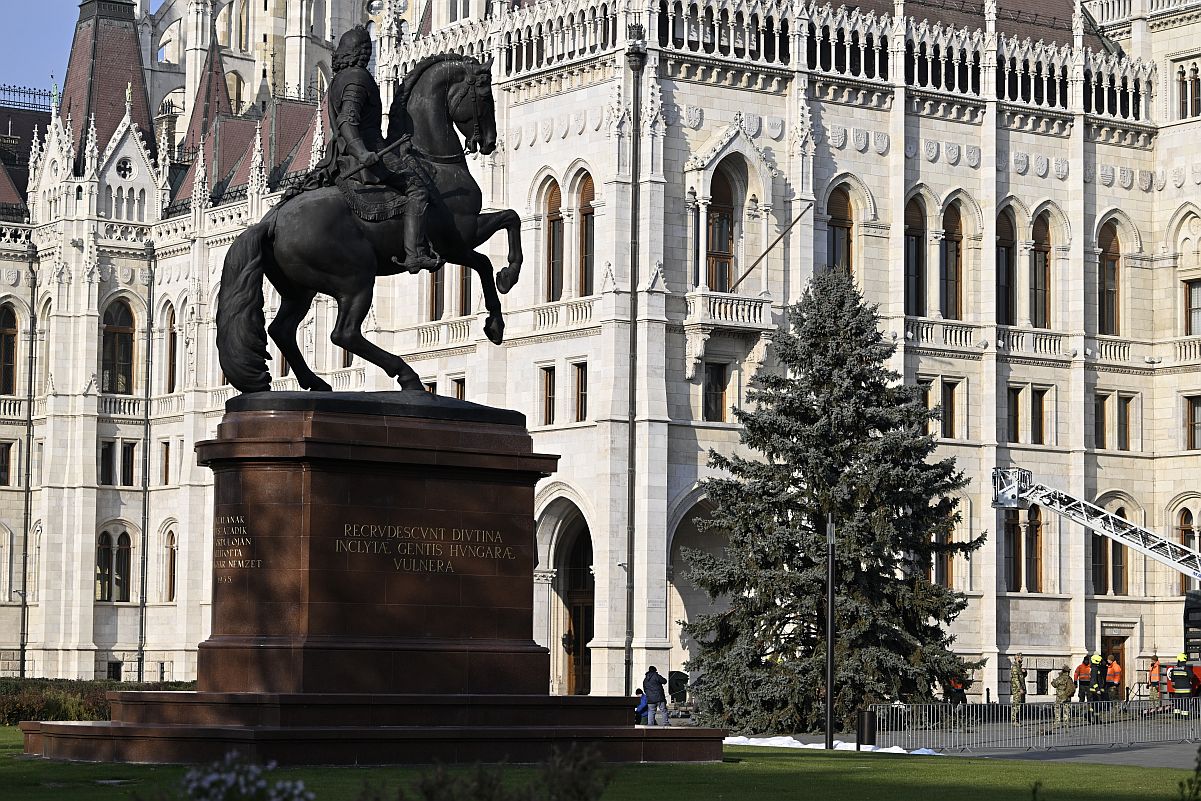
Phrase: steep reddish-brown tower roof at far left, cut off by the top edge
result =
(106, 58)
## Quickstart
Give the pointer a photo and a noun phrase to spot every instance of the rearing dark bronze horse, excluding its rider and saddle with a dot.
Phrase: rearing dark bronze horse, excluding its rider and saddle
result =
(314, 243)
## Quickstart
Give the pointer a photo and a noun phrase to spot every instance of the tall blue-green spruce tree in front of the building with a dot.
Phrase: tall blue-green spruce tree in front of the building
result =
(832, 432)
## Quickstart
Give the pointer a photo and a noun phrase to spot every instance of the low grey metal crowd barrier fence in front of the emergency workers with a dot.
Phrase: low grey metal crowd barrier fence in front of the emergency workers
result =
(993, 727)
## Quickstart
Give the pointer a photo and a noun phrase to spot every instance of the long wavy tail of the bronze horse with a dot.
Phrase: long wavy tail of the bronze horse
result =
(242, 331)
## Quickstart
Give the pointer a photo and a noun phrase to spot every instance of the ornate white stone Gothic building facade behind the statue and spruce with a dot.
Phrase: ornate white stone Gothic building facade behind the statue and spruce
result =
(1018, 187)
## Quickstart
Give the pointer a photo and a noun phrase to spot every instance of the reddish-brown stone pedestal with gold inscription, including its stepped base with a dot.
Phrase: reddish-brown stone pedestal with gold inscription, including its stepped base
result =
(373, 601)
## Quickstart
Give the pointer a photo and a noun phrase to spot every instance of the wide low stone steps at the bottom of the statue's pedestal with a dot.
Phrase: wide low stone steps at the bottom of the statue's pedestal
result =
(164, 728)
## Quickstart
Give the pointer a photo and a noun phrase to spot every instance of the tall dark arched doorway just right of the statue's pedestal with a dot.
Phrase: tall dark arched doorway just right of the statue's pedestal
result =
(577, 589)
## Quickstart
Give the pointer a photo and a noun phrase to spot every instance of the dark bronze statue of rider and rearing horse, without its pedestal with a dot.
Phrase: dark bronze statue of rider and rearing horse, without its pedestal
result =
(374, 206)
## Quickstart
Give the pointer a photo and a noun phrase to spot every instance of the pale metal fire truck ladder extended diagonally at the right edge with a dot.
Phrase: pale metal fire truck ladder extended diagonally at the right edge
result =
(1015, 488)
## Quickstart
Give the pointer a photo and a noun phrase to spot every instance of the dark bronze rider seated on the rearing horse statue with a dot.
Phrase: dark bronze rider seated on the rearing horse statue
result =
(352, 162)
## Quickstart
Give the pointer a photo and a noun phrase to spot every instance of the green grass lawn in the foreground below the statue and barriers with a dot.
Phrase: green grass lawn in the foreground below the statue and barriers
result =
(748, 774)
